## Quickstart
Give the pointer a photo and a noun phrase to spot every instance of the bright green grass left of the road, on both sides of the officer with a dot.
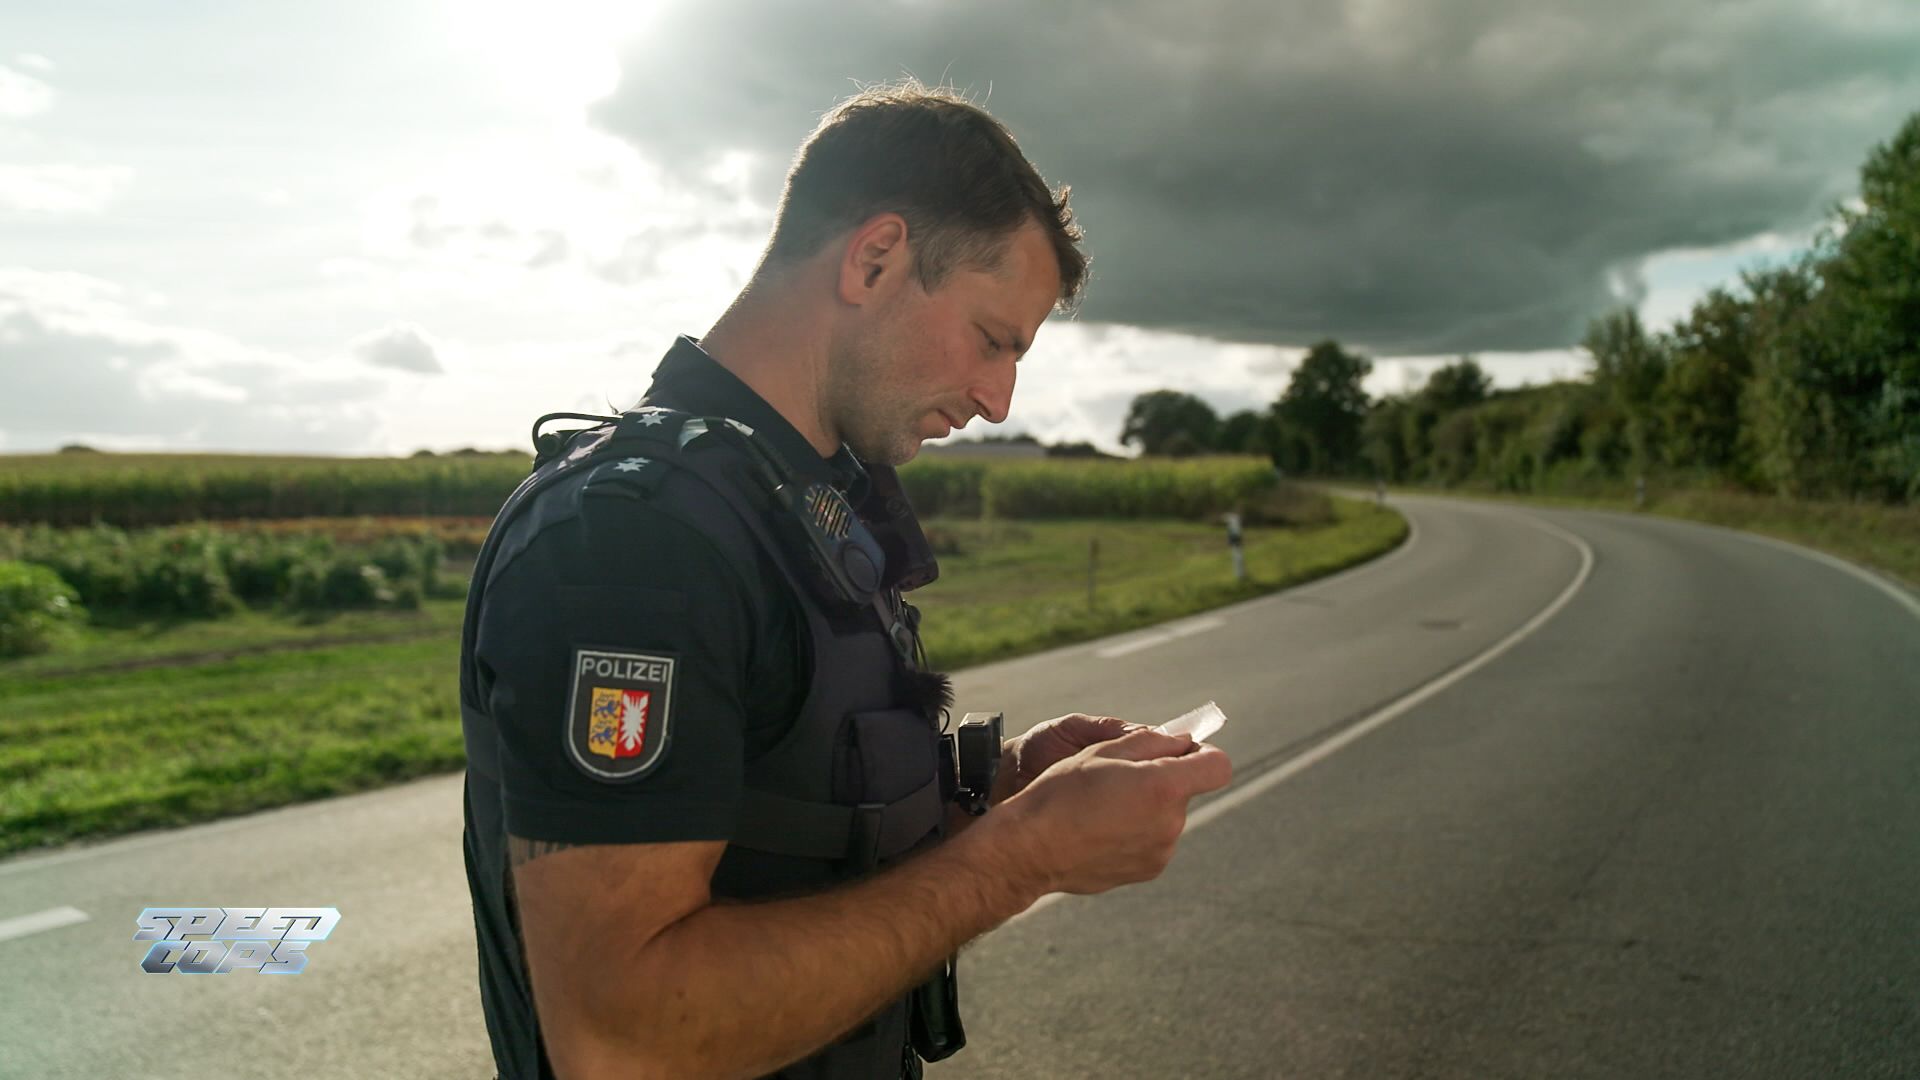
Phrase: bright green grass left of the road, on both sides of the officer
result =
(306, 708)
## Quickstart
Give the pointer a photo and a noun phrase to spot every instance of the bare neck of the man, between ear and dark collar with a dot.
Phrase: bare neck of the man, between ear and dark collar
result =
(773, 349)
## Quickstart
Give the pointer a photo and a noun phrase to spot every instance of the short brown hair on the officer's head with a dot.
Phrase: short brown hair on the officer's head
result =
(938, 160)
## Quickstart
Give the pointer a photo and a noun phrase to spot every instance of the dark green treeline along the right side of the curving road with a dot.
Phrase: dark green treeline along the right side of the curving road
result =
(1802, 381)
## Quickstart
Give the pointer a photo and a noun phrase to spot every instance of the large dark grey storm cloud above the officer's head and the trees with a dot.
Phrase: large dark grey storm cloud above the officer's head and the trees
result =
(1414, 178)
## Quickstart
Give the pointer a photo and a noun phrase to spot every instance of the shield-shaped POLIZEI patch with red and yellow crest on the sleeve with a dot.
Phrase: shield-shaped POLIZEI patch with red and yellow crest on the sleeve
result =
(619, 716)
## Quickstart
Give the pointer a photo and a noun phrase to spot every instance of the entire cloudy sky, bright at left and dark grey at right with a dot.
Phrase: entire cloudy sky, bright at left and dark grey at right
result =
(368, 228)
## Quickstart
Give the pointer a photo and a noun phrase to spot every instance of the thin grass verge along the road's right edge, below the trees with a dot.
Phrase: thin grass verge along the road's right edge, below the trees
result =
(1873, 535)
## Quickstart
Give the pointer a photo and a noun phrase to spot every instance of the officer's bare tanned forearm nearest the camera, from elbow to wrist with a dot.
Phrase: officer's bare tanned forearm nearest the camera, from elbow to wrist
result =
(740, 991)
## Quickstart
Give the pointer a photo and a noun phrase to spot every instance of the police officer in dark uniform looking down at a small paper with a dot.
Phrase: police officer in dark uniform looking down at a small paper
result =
(713, 825)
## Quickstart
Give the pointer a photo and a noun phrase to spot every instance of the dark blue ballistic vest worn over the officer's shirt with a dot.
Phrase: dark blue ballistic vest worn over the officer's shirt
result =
(857, 783)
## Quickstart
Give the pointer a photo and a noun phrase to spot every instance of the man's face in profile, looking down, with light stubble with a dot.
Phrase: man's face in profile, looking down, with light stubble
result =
(932, 362)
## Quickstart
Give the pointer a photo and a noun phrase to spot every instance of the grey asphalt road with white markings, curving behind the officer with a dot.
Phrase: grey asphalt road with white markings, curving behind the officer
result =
(1541, 795)
